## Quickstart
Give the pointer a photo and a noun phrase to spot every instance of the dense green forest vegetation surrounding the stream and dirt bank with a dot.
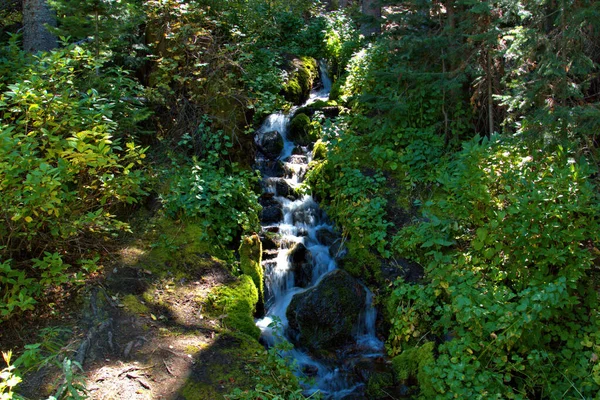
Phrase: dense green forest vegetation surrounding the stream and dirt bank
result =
(466, 148)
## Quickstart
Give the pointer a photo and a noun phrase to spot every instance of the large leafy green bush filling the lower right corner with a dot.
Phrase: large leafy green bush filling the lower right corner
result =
(508, 263)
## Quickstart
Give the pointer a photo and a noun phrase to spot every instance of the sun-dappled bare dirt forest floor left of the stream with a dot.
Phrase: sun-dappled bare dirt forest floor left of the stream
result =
(149, 326)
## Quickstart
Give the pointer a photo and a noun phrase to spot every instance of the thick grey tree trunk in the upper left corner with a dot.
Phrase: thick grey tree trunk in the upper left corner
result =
(36, 14)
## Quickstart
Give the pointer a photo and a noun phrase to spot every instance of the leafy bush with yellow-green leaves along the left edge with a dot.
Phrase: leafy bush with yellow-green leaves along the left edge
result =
(64, 167)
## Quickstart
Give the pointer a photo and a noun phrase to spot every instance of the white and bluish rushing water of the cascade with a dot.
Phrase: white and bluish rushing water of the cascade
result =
(302, 218)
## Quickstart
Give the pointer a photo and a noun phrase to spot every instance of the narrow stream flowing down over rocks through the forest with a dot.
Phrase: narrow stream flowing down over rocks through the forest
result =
(300, 222)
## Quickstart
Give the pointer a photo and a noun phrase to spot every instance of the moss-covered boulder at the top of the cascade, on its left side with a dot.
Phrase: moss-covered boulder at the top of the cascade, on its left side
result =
(300, 79)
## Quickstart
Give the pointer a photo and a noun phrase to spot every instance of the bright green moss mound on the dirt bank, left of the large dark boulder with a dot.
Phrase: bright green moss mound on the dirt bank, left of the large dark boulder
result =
(237, 302)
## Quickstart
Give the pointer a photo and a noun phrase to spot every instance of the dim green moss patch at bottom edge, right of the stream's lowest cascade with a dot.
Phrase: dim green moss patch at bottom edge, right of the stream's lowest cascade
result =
(411, 364)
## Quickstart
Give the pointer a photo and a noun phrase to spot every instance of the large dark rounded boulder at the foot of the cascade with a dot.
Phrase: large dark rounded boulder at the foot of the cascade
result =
(323, 317)
